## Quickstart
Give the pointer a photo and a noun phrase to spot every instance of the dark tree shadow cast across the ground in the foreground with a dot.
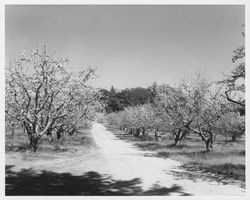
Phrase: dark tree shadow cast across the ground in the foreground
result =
(28, 182)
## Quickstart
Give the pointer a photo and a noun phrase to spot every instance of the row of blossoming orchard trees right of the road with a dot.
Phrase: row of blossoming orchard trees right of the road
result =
(194, 106)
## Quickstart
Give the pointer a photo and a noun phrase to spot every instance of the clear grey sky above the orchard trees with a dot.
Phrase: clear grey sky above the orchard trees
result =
(131, 46)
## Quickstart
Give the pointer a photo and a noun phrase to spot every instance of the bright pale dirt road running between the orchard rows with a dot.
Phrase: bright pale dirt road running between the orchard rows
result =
(126, 162)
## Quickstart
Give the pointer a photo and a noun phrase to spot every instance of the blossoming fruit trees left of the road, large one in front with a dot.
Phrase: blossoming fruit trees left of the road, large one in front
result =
(46, 99)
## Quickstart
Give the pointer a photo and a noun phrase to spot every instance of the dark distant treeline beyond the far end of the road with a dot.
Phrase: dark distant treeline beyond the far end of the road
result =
(118, 100)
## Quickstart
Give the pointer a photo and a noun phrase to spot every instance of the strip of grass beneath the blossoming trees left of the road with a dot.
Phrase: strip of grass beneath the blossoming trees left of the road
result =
(81, 141)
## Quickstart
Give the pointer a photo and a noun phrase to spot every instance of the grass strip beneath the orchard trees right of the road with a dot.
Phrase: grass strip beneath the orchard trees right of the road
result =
(226, 161)
